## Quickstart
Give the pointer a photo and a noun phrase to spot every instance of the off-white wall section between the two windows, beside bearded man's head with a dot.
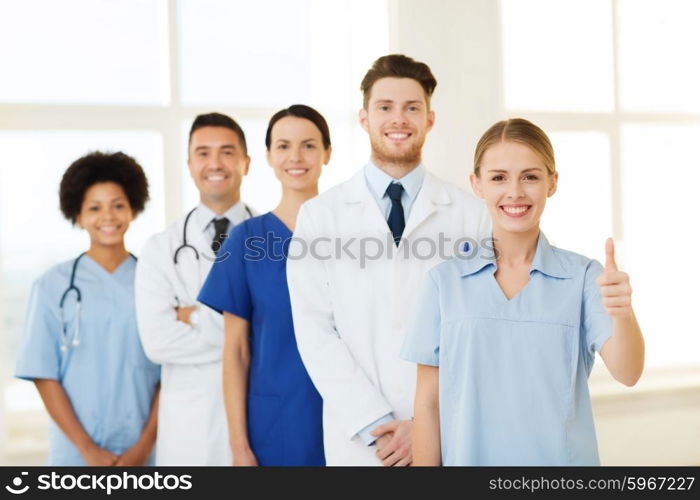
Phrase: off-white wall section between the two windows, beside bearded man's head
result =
(457, 39)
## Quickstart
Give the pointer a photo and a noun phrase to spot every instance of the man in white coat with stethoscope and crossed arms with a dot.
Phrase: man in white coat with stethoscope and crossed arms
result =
(187, 339)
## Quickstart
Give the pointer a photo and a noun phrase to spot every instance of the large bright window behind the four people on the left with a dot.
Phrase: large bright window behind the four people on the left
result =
(131, 75)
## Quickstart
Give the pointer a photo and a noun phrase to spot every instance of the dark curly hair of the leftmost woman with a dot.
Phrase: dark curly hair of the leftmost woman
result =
(97, 167)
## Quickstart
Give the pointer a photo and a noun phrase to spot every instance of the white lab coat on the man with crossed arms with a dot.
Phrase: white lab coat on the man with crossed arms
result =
(192, 428)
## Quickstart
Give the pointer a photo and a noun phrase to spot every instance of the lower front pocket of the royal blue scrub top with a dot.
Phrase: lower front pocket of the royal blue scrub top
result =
(265, 428)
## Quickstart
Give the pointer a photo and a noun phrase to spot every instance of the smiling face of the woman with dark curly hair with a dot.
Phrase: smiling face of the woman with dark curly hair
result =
(105, 214)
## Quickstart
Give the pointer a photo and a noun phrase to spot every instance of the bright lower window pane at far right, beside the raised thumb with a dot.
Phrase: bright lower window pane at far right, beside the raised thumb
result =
(661, 173)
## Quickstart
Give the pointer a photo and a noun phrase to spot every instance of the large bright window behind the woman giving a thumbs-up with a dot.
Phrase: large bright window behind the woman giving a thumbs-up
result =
(612, 83)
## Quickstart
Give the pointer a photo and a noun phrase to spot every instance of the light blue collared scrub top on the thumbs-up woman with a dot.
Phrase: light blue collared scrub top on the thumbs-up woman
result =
(513, 373)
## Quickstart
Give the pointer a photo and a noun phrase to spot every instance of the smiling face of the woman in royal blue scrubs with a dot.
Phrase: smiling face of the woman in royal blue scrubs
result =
(297, 154)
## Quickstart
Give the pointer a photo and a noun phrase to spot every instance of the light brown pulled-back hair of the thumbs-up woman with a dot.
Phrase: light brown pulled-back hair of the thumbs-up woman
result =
(516, 130)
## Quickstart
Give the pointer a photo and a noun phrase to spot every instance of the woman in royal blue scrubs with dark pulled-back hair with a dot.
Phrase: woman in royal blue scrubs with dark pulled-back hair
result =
(273, 408)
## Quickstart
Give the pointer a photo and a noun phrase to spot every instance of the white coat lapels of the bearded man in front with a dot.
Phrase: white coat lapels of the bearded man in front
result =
(432, 194)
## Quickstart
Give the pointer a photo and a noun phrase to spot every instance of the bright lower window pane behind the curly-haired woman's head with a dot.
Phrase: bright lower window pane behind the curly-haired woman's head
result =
(33, 164)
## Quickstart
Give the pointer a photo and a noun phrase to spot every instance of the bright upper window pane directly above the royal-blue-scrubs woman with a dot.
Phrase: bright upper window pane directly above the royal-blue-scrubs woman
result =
(274, 53)
